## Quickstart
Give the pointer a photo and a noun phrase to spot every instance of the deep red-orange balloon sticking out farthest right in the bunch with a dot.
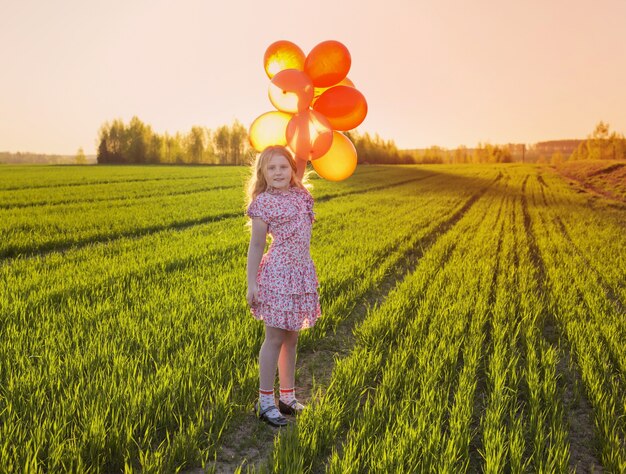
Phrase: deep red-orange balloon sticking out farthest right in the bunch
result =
(343, 106)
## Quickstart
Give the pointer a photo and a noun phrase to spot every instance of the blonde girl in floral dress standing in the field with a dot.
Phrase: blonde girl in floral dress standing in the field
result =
(282, 284)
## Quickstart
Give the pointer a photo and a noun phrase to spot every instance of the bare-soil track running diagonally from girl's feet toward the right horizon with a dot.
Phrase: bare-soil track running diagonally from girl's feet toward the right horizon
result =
(336, 345)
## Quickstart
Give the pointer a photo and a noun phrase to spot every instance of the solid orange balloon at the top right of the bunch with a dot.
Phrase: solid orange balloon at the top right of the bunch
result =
(328, 63)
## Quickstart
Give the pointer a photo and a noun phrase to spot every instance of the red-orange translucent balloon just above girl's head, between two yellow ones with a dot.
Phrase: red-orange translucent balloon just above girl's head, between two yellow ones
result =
(309, 134)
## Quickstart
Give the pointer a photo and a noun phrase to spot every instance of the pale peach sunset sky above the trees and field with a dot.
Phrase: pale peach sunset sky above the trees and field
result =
(446, 72)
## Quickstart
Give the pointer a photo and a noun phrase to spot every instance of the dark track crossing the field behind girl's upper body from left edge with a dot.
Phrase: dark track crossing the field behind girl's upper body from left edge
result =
(12, 251)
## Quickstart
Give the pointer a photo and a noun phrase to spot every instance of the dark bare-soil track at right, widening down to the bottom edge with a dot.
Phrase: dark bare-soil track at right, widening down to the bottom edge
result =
(578, 409)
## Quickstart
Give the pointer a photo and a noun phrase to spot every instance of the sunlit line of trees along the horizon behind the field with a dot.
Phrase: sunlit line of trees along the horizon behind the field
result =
(136, 142)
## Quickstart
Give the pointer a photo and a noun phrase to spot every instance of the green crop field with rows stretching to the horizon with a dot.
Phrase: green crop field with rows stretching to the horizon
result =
(474, 320)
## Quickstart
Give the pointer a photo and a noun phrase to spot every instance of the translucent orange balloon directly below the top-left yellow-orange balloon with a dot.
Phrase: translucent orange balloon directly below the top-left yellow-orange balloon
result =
(291, 91)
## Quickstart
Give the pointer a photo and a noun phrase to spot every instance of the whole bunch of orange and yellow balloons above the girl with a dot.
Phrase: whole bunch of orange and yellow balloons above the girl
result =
(315, 101)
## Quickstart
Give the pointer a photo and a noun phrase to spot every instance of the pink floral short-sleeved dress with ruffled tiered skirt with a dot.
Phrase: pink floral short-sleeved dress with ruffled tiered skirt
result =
(287, 280)
